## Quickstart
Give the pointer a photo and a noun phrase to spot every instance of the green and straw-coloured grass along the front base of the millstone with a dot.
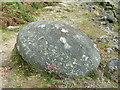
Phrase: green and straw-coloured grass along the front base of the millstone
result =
(24, 75)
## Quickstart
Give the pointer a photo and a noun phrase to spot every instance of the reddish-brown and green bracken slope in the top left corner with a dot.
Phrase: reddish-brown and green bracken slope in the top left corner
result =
(17, 13)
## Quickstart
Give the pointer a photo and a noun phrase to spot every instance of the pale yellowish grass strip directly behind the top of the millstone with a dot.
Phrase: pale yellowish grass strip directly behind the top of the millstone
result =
(81, 20)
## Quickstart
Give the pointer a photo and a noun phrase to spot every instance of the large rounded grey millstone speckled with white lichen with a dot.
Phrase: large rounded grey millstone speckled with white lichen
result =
(45, 43)
